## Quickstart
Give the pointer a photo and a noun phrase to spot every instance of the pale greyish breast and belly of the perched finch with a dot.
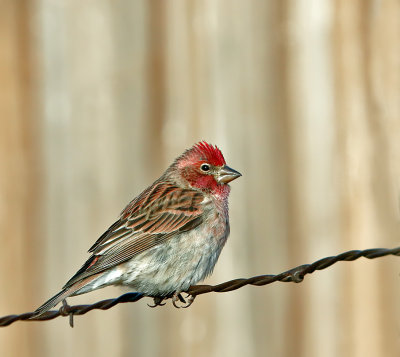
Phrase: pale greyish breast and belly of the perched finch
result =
(182, 261)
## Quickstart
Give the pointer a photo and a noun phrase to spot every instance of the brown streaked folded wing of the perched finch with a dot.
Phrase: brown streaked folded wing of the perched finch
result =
(160, 212)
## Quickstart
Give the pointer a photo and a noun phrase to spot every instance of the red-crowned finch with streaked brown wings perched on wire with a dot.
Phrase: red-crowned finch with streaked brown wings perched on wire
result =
(166, 239)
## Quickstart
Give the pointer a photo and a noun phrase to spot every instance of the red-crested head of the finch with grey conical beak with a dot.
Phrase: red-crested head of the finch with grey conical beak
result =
(203, 167)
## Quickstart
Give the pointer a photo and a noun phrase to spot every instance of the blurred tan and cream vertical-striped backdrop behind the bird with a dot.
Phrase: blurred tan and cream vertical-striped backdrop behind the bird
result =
(98, 97)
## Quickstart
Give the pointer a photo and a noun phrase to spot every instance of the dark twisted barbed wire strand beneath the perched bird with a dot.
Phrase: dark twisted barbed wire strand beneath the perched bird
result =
(295, 275)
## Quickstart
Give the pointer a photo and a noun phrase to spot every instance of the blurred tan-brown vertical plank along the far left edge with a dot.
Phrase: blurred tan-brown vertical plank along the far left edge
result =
(19, 184)
